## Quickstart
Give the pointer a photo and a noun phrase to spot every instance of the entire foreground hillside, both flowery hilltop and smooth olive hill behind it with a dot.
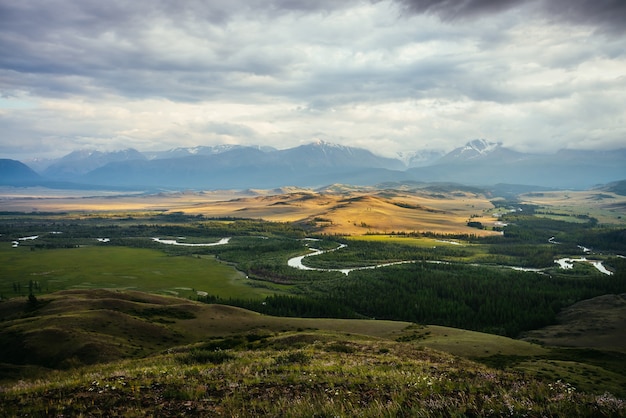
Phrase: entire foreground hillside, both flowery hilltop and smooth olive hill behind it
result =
(133, 354)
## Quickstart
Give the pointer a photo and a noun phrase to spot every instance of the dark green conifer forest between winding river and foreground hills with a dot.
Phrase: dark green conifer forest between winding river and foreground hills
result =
(486, 299)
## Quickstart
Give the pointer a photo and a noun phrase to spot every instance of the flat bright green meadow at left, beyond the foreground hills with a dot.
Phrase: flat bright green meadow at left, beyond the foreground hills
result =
(121, 268)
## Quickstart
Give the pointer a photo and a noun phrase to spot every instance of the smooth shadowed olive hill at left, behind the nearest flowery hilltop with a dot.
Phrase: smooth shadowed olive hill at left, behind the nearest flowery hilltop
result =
(87, 326)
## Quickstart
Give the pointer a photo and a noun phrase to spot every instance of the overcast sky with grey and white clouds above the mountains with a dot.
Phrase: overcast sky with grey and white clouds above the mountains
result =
(391, 76)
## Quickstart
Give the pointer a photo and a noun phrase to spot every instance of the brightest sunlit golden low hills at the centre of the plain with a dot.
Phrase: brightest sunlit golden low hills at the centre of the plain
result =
(358, 213)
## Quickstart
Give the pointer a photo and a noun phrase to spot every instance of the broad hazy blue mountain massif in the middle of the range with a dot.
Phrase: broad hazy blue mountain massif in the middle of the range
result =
(249, 167)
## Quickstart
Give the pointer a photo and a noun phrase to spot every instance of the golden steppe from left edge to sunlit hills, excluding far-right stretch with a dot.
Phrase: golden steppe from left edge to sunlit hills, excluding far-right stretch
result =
(335, 210)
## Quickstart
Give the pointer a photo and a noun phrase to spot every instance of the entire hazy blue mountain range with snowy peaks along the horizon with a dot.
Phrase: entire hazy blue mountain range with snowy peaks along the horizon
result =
(479, 162)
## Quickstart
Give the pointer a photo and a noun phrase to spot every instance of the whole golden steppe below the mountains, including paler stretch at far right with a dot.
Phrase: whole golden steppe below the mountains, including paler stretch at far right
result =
(337, 209)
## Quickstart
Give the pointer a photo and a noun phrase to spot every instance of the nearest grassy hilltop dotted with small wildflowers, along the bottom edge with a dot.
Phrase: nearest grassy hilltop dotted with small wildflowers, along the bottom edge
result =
(301, 374)
